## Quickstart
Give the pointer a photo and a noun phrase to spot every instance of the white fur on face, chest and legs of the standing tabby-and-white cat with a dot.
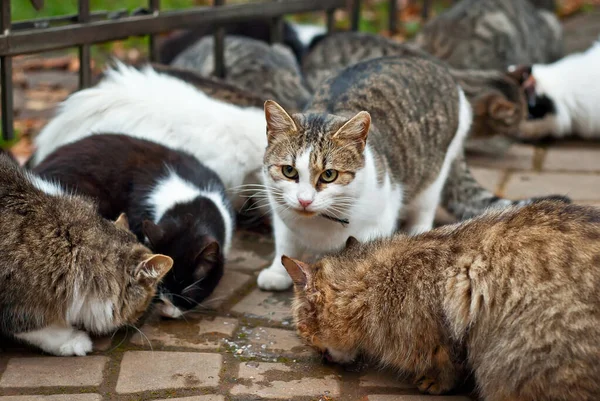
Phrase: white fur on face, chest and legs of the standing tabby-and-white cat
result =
(373, 209)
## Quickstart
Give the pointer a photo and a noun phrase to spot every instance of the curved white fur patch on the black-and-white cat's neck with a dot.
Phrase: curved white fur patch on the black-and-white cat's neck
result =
(173, 189)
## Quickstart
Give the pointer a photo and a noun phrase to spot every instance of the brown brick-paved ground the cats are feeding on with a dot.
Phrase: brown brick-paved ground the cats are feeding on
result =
(242, 345)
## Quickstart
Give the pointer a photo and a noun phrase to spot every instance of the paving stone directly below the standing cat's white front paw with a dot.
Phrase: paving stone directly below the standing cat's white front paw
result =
(274, 306)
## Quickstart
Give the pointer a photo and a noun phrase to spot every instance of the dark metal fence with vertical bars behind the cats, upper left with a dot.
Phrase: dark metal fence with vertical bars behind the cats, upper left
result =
(86, 28)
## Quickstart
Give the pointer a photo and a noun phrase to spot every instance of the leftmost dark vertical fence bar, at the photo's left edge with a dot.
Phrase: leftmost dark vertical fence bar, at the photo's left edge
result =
(6, 77)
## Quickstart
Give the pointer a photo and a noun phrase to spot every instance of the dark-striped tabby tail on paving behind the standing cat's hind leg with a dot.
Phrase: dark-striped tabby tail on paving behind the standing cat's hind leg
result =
(464, 197)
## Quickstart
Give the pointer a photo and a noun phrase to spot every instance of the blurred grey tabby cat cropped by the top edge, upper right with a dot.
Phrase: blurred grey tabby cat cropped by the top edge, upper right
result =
(493, 34)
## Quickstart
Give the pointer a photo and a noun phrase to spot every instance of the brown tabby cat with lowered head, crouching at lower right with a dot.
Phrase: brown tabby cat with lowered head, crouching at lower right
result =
(510, 297)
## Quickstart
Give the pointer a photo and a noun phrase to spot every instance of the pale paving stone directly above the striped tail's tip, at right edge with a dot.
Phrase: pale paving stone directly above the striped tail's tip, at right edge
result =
(576, 186)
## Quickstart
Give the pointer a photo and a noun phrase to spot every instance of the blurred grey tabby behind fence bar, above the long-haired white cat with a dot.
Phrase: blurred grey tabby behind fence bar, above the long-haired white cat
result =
(268, 71)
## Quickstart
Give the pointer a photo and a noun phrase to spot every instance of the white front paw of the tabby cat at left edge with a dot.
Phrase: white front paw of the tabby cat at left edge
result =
(57, 340)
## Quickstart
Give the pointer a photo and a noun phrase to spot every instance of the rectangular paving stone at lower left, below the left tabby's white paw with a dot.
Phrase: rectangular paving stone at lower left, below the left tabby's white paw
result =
(54, 371)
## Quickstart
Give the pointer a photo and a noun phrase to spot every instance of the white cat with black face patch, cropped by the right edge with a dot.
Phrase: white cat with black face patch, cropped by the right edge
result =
(560, 107)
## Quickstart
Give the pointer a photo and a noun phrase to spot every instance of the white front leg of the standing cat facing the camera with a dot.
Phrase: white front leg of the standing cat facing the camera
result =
(275, 277)
